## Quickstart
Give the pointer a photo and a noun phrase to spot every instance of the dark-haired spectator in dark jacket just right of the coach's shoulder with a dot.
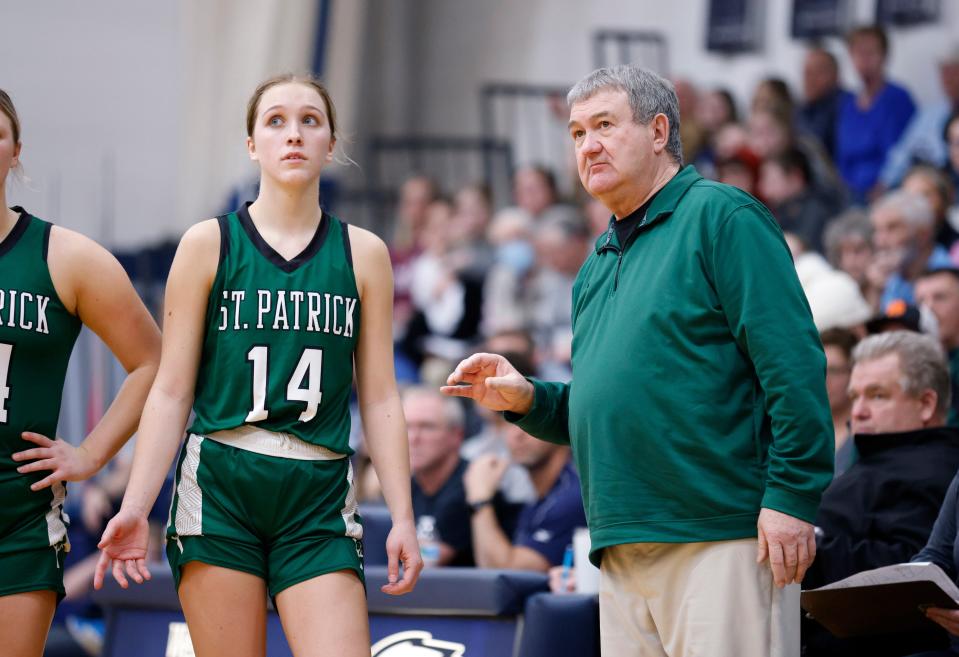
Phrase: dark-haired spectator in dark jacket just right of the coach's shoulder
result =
(785, 182)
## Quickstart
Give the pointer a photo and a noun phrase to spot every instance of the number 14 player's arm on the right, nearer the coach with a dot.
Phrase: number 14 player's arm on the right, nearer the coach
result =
(380, 406)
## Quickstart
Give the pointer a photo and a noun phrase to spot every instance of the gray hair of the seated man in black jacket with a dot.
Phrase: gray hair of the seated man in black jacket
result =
(921, 361)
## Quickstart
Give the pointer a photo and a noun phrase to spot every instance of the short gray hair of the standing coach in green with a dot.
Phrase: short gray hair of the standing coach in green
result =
(648, 95)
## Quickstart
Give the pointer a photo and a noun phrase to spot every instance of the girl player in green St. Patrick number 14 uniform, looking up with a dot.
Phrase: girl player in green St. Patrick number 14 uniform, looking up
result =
(267, 309)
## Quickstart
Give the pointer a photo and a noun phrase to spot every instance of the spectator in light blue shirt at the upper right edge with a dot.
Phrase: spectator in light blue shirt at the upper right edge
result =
(923, 139)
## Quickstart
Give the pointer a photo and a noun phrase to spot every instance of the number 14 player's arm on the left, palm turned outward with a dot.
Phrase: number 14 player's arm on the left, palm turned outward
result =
(124, 541)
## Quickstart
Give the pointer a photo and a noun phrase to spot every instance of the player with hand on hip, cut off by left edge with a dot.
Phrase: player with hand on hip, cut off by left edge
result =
(52, 280)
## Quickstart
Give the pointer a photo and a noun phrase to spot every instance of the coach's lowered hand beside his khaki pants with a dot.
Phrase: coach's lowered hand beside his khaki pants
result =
(789, 543)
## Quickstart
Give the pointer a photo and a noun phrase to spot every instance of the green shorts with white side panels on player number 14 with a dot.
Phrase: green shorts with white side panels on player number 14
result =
(285, 520)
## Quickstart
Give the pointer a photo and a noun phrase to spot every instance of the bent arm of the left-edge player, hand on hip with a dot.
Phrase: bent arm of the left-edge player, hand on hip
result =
(92, 285)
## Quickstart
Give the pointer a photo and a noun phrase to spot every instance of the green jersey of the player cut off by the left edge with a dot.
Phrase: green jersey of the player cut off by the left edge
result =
(37, 334)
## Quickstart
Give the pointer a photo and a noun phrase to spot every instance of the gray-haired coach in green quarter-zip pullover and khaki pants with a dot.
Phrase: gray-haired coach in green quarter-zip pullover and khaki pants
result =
(697, 412)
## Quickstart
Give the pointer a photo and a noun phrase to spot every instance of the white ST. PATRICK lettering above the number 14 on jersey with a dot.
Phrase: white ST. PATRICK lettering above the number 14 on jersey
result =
(288, 310)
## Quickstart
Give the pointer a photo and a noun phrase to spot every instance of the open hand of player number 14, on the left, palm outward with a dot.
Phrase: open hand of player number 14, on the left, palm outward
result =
(123, 547)
